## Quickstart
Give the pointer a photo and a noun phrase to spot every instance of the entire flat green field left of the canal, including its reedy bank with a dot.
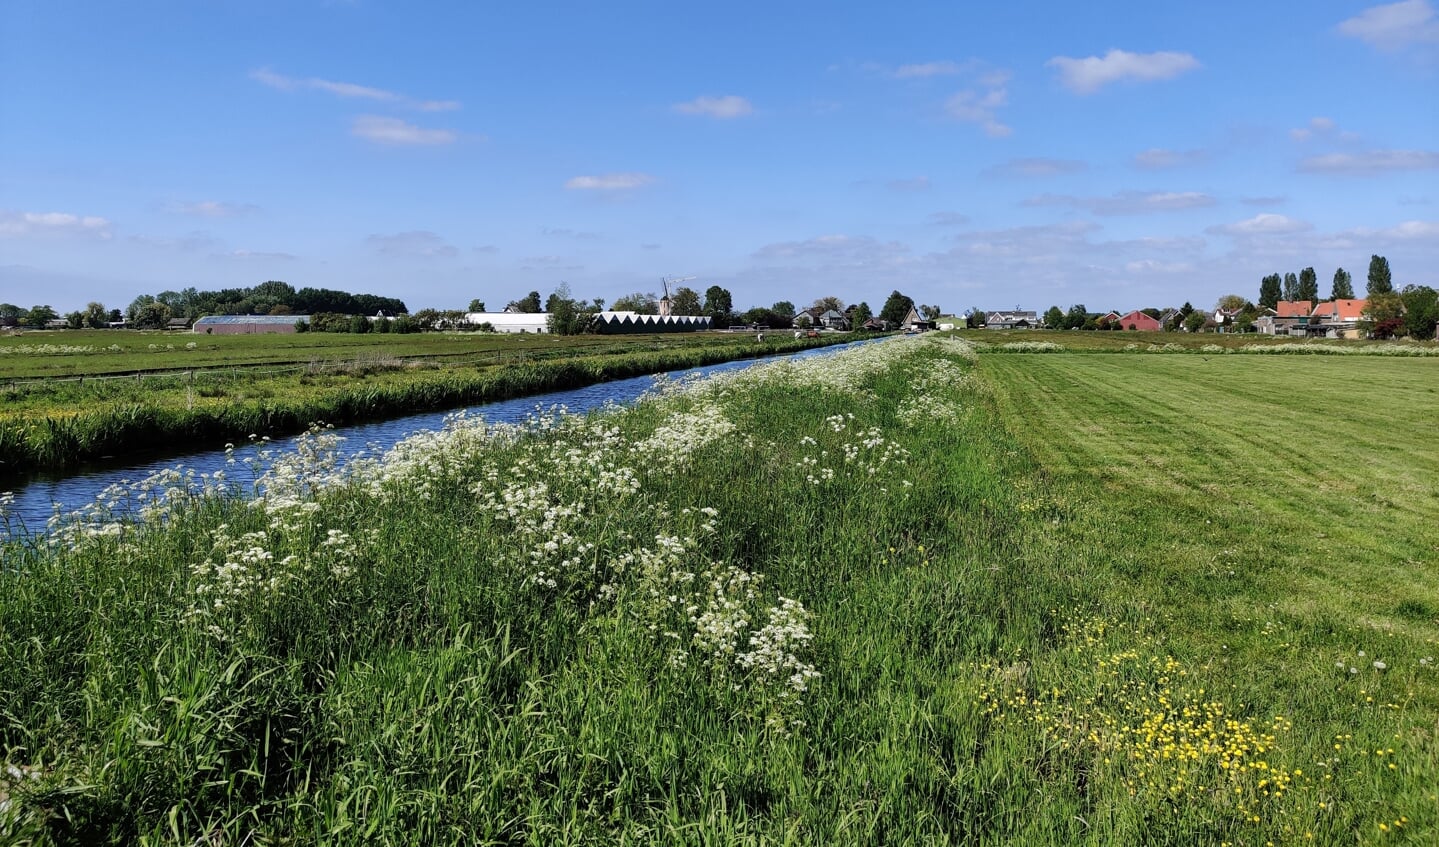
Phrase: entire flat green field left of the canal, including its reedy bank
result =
(61, 421)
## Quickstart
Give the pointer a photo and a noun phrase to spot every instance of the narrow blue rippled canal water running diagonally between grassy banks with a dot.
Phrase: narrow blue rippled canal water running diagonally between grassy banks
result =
(38, 498)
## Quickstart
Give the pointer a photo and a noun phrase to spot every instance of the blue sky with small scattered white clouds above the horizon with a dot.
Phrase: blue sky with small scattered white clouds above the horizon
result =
(969, 155)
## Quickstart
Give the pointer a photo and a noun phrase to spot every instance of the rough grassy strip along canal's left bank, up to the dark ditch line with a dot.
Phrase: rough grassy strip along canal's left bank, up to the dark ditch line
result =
(61, 423)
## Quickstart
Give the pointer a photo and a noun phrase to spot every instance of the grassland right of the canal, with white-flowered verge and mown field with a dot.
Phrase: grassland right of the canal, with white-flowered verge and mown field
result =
(897, 596)
